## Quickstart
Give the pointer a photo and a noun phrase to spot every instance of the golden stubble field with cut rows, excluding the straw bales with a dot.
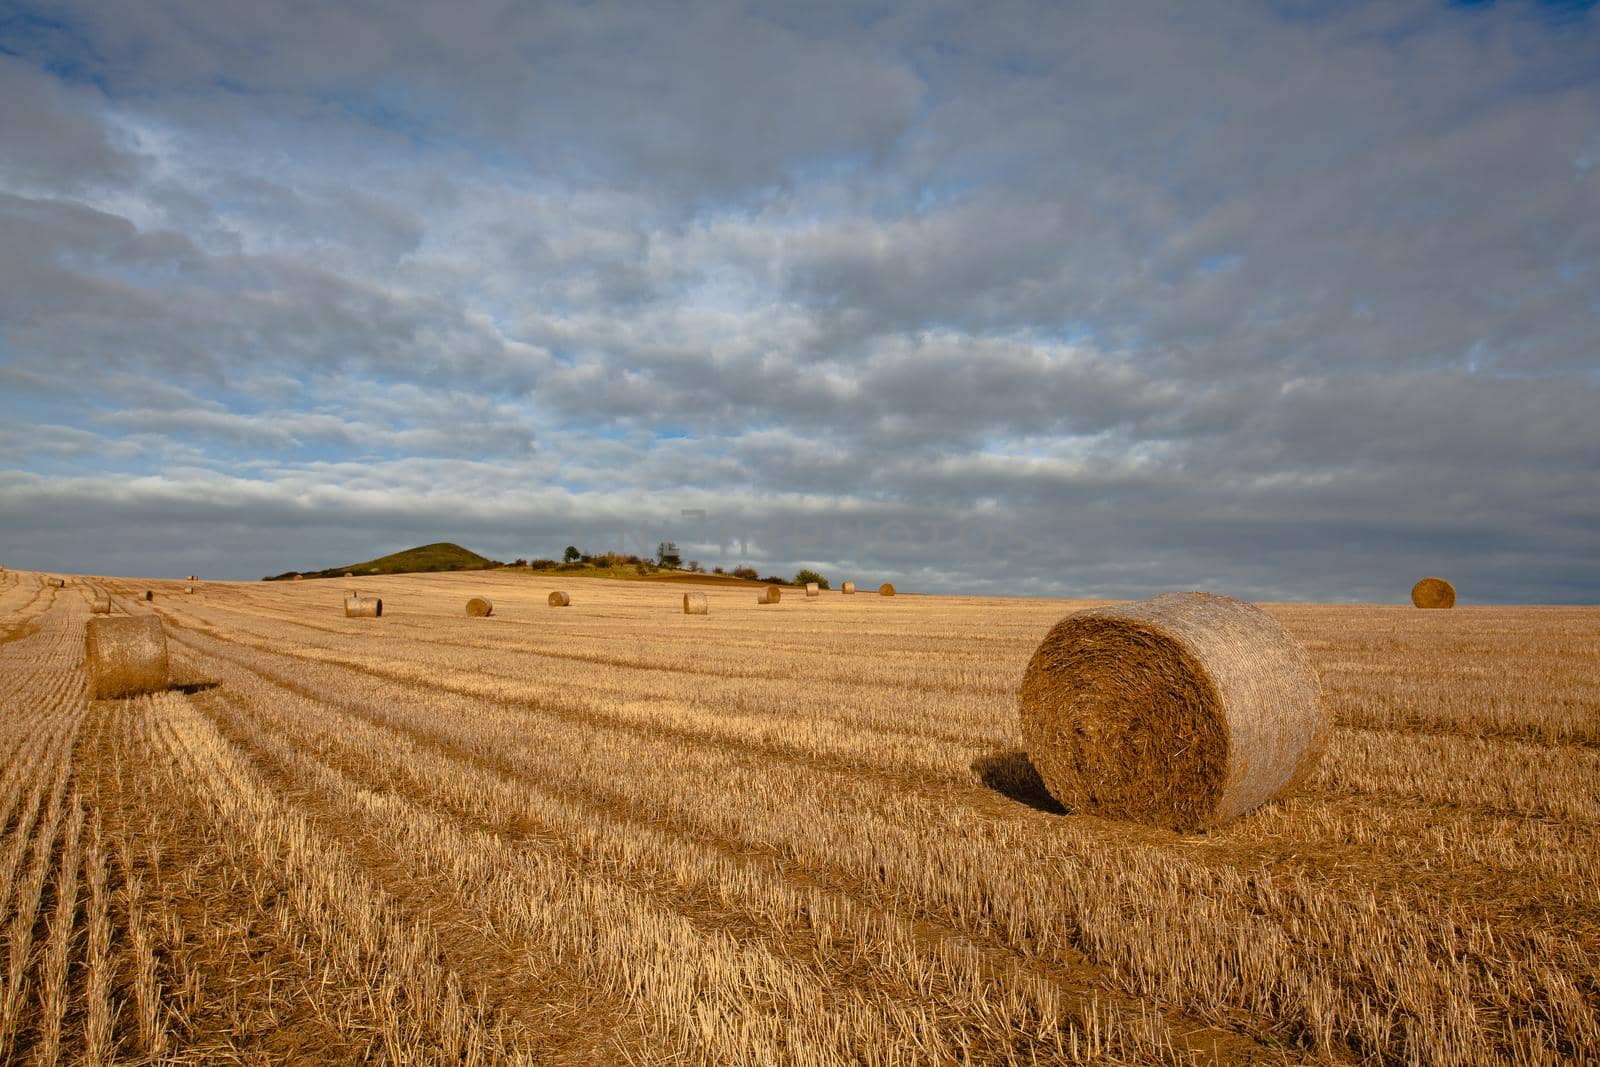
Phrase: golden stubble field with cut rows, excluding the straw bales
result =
(618, 834)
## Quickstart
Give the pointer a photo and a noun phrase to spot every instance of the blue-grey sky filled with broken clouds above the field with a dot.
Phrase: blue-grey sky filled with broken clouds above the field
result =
(1287, 300)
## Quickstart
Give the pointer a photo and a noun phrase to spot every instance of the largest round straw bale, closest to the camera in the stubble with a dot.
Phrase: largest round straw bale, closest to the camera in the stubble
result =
(1183, 711)
